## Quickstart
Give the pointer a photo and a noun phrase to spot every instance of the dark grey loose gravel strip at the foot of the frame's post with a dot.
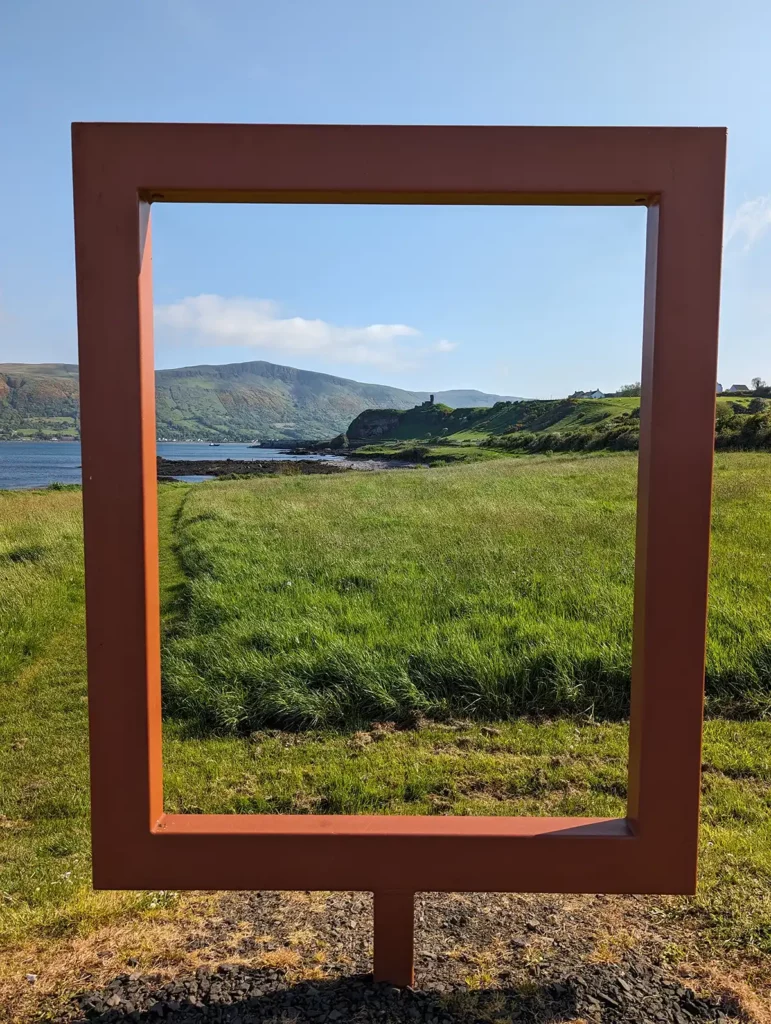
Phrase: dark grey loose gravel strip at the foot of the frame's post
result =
(237, 995)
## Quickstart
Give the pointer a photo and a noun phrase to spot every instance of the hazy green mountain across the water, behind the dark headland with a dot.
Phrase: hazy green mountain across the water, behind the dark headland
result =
(236, 402)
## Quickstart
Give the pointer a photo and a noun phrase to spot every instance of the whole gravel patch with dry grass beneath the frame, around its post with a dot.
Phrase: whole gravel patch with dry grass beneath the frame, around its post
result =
(482, 959)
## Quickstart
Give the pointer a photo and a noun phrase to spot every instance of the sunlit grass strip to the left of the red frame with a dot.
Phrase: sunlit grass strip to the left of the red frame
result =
(45, 839)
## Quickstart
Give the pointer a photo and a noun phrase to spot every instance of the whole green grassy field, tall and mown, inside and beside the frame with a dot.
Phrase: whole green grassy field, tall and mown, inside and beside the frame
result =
(387, 567)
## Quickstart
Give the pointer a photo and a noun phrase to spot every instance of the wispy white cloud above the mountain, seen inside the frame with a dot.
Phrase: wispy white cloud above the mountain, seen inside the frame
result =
(216, 320)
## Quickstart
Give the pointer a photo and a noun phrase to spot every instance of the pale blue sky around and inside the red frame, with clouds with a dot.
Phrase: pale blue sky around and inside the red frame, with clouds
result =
(527, 302)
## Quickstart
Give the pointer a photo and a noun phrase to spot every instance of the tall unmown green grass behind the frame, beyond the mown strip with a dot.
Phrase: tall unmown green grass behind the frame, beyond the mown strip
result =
(488, 590)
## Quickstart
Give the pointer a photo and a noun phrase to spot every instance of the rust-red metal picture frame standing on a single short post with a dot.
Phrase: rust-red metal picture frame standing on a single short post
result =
(119, 172)
